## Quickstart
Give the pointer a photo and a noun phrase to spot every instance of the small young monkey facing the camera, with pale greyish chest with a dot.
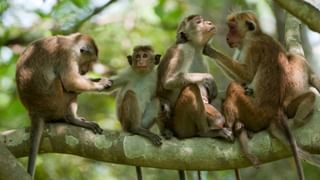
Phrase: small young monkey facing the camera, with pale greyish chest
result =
(137, 105)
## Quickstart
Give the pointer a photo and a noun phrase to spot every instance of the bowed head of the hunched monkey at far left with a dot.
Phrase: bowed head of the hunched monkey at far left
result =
(86, 50)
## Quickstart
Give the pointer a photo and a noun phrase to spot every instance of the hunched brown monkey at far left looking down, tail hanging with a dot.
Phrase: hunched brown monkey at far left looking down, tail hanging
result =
(49, 77)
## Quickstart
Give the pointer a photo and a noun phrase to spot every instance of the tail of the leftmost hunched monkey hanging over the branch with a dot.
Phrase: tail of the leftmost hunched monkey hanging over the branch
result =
(36, 134)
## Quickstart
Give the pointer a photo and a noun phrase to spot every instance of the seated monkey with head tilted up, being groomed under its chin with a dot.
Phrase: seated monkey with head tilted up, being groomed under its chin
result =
(186, 86)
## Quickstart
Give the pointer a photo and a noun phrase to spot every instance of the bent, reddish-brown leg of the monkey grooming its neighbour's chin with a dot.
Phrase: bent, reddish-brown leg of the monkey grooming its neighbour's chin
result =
(239, 106)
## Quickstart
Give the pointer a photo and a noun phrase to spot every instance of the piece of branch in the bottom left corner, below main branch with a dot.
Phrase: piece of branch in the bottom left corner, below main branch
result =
(9, 164)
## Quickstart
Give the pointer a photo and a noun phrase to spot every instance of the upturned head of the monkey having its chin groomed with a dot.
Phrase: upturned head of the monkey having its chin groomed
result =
(196, 30)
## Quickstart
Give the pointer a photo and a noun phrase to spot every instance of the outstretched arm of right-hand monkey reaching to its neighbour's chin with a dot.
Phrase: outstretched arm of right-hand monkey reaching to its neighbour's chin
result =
(235, 70)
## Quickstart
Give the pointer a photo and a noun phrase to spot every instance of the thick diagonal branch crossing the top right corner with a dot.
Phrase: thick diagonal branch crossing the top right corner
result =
(307, 13)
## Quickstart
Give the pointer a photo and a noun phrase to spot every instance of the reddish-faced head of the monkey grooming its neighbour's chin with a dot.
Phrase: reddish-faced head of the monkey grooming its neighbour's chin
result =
(241, 25)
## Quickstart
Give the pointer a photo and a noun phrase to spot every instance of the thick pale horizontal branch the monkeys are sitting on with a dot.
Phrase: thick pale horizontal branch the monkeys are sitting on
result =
(194, 153)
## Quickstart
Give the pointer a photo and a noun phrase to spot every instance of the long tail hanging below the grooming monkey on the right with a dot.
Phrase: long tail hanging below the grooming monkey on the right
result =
(292, 142)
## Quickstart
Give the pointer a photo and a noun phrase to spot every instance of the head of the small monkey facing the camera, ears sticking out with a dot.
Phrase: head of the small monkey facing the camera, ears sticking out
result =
(143, 59)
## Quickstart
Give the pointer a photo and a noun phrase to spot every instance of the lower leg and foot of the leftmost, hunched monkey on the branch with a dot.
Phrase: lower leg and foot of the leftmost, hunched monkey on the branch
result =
(73, 118)
